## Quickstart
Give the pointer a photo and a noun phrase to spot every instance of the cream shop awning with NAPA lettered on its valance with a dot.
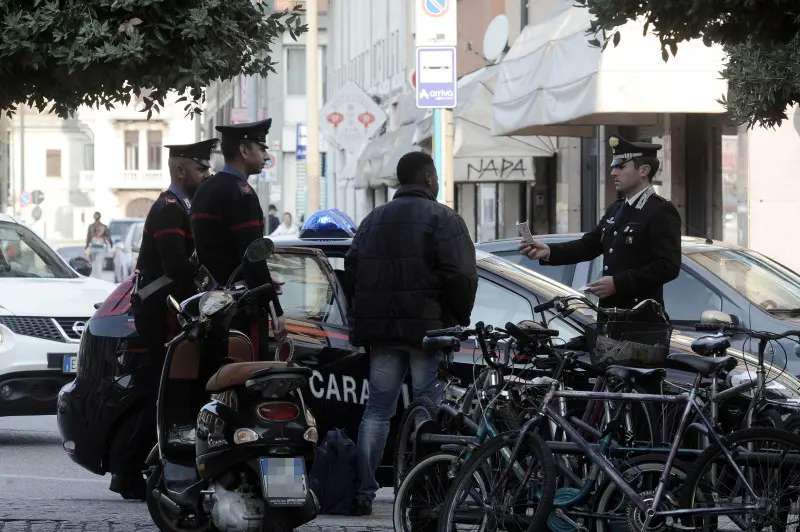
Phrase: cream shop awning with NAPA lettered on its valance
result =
(472, 117)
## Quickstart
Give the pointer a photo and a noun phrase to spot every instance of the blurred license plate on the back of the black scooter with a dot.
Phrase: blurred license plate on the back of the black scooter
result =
(284, 481)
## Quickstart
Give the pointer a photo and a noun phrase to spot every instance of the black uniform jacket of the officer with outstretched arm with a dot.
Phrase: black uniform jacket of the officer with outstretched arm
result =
(641, 248)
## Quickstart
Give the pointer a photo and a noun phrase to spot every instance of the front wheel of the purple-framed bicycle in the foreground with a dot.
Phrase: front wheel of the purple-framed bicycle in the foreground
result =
(482, 495)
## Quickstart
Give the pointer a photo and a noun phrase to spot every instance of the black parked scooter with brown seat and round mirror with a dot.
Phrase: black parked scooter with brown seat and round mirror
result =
(241, 465)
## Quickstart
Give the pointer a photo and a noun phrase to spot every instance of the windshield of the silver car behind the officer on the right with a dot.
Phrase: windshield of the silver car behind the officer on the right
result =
(762, 281)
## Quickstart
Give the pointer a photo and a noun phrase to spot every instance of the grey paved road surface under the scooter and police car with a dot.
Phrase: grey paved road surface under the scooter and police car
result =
(41, 490)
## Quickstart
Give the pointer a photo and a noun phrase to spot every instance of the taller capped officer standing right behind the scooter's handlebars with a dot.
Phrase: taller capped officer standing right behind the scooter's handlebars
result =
(227, 217)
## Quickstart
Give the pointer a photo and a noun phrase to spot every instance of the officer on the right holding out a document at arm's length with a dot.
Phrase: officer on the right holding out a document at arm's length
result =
(639, 236)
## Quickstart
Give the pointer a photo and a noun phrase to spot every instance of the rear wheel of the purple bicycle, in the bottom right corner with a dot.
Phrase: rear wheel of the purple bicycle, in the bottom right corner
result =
(714, 482)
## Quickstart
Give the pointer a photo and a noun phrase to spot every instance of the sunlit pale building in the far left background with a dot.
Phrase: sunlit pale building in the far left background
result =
(111, 161)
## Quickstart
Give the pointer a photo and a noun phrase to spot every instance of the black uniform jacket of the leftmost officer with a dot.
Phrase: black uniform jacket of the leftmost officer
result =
(167, 247)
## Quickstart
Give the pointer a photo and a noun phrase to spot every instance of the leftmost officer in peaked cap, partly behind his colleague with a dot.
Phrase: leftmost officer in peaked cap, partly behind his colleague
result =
(164, 267)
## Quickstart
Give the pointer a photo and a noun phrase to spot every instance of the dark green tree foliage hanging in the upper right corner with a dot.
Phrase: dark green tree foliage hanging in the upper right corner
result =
(761, 38)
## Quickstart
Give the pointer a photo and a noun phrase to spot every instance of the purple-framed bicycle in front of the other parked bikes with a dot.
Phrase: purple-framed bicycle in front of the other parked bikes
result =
(643, 508)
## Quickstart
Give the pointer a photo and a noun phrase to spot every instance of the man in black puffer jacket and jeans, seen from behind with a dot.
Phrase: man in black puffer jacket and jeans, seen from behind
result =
(411, 268)
